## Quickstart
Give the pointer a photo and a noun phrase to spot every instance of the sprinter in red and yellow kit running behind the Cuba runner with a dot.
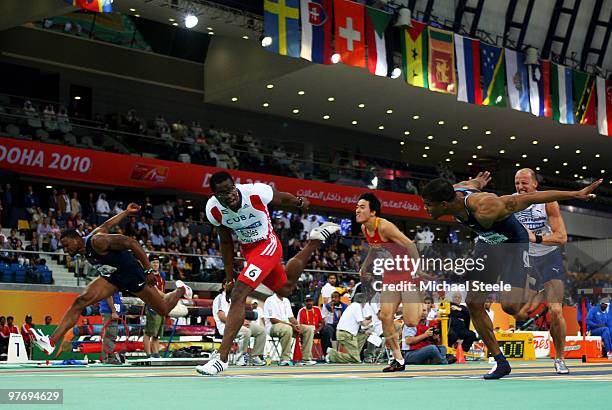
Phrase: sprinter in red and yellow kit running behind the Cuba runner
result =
(382, 234)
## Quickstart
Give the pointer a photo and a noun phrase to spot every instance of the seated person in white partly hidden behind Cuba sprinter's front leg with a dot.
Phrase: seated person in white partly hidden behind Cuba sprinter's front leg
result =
(220, 309)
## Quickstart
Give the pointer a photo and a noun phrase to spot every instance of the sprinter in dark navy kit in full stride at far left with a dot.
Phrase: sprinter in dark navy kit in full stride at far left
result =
(123, 266)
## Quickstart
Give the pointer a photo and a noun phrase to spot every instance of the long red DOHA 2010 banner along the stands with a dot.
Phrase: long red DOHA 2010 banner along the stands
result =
(75, 164)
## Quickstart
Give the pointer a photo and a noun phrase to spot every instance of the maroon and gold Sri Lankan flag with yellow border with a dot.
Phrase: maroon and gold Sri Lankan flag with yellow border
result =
(441, 61)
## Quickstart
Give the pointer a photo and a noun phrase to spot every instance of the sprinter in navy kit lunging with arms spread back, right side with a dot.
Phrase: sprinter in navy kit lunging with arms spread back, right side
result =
(492, 218)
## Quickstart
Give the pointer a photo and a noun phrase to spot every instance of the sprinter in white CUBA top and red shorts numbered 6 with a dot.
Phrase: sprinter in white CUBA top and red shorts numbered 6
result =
(243, 209)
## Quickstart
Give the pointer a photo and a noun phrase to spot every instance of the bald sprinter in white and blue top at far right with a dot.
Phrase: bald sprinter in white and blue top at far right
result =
(547, 232)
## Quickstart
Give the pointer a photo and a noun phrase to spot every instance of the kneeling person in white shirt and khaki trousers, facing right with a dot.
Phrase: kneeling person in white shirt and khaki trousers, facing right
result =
(348, 333)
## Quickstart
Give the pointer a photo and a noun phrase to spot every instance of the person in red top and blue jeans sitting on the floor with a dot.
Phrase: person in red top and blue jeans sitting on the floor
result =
(420, 343)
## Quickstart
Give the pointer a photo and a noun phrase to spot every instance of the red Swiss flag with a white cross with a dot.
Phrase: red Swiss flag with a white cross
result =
(350, 32)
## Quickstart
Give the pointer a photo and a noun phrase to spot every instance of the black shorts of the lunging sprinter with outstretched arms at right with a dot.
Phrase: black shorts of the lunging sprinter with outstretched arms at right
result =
(507, 262)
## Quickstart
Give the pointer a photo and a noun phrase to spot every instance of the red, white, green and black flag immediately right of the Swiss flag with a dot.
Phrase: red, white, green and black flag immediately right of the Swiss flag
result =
(377, 22)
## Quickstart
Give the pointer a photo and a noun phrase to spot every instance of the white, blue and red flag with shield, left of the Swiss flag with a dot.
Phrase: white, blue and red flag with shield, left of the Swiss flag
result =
(316, 30)
